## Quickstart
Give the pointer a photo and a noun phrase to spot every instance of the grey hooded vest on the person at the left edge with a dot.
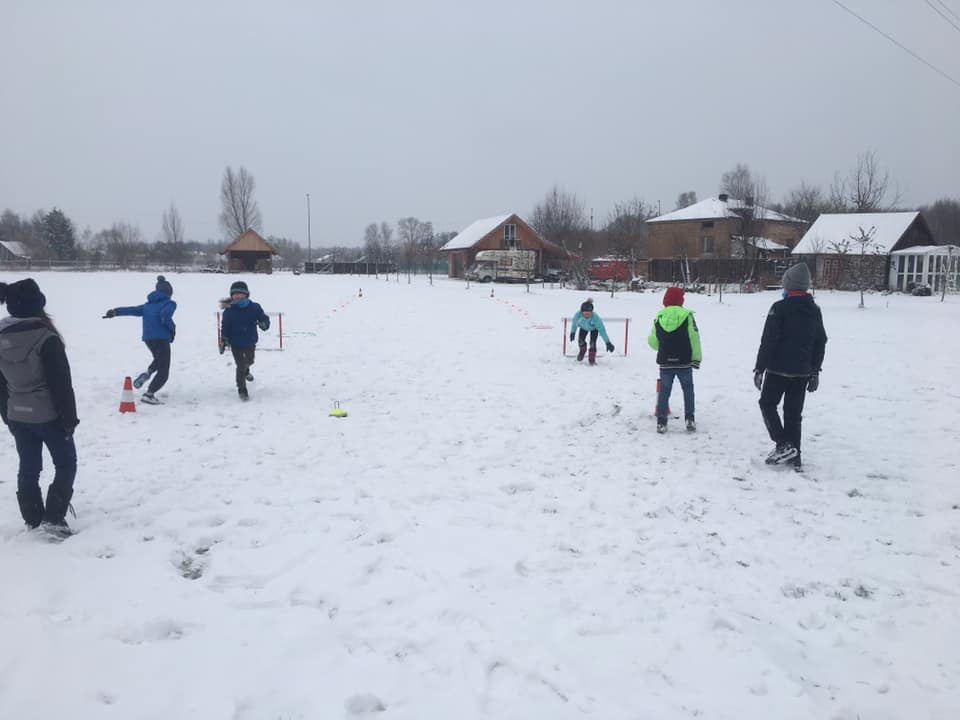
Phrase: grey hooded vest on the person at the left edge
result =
(30, 400)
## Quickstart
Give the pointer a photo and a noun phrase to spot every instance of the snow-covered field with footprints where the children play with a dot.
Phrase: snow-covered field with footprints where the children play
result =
(495, 530)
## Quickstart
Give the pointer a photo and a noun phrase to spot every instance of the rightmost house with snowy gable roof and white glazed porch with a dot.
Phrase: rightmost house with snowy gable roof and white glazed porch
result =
(893, 250)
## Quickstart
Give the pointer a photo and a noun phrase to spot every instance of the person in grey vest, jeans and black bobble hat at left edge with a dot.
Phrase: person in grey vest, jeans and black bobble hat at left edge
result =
(37, 404)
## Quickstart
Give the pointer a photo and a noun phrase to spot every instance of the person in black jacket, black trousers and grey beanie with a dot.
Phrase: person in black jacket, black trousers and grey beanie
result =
(789, 362)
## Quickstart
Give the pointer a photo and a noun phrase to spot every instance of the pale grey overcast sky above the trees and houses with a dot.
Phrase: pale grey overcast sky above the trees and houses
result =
(454, 111)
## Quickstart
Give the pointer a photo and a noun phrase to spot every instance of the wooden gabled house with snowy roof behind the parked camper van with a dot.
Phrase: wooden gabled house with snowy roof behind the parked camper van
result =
(501, 232)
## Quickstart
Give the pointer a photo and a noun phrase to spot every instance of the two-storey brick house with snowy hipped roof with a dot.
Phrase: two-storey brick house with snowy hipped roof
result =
(709, 236)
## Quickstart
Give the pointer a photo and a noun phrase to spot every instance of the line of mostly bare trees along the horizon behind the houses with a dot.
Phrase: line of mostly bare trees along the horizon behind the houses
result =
(560, 217)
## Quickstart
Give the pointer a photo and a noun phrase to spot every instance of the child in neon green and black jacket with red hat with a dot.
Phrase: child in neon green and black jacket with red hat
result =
(676, 339)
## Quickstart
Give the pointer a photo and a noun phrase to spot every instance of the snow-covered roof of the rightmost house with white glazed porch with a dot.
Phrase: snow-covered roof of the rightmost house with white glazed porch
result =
(832, 229)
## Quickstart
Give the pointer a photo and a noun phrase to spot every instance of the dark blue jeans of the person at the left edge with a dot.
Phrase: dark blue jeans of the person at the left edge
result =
(30, 439)
